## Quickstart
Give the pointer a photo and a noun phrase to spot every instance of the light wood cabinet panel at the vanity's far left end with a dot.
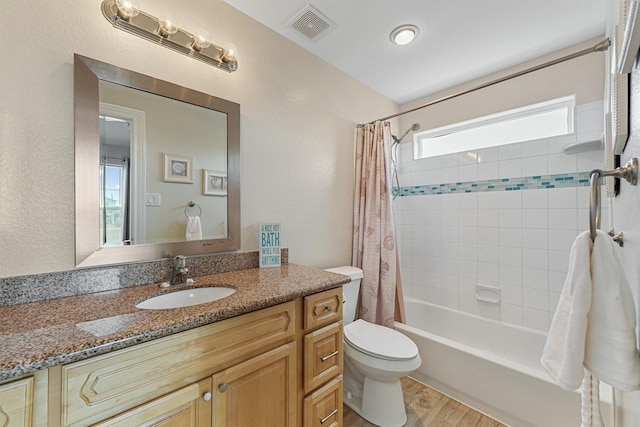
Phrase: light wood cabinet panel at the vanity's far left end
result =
(16, 403)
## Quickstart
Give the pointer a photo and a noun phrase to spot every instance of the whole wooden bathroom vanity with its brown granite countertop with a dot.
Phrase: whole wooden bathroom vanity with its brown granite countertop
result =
(271, 351)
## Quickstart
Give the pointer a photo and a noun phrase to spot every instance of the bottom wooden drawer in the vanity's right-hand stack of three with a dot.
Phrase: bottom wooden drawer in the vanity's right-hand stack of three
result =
(324, 407)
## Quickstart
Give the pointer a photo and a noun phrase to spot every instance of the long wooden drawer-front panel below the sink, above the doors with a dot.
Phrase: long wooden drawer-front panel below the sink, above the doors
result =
(97, 388)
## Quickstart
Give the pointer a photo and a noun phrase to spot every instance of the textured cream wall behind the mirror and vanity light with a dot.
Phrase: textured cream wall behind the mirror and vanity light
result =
(298, 116)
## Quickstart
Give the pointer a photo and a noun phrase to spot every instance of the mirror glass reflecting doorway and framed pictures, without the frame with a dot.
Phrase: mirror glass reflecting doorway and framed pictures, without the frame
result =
(142, 198)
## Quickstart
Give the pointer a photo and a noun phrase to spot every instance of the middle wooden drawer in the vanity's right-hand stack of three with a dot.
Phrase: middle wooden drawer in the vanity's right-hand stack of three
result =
(322, 356)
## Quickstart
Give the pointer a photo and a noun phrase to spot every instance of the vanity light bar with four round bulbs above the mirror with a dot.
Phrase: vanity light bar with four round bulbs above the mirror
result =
(125, 15)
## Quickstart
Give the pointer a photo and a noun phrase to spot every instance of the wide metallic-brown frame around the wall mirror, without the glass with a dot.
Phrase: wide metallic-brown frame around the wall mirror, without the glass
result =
(87, 74)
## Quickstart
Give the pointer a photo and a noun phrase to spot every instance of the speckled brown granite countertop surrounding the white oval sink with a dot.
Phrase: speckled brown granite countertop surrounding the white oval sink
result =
(42, 334)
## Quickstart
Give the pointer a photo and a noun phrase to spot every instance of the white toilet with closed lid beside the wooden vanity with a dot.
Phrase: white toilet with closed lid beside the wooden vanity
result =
(375, 359)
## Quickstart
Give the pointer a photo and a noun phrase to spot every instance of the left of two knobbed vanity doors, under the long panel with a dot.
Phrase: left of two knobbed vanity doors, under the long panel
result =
(189, 406)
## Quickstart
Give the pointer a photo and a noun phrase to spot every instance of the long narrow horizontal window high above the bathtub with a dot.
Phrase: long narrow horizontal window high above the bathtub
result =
(543, 120)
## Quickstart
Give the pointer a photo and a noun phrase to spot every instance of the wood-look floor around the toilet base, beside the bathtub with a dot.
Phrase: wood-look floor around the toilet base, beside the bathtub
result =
(427, 407)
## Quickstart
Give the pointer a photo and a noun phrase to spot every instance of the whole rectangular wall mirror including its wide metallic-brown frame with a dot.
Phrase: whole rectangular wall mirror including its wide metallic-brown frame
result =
(157, 167)
